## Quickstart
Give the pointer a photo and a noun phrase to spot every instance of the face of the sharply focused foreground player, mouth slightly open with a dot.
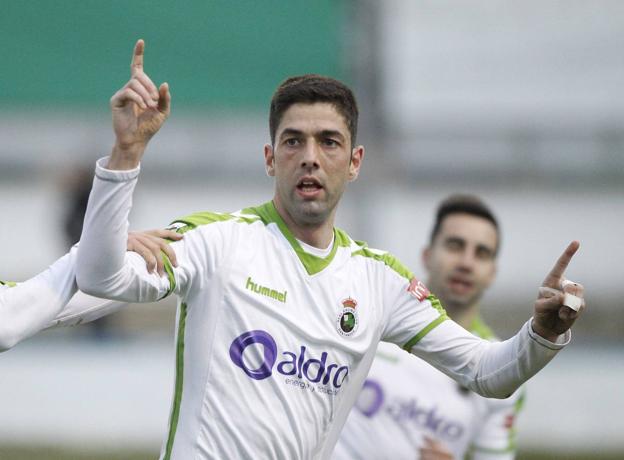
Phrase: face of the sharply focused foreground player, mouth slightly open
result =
(312, 161)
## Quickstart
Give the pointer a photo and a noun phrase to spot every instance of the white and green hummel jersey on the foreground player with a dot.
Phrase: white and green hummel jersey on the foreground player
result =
(274, 343)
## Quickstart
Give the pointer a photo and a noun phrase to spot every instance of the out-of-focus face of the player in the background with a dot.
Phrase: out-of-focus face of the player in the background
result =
(461, 261)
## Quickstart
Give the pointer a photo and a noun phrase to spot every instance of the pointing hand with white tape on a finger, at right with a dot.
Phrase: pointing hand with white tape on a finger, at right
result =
(551, 318)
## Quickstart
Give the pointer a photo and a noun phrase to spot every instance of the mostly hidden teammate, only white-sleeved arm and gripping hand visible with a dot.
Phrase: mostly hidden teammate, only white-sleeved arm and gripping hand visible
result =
(52, 299)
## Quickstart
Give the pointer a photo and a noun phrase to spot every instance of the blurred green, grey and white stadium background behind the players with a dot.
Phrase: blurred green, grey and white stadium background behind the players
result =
(520, 102)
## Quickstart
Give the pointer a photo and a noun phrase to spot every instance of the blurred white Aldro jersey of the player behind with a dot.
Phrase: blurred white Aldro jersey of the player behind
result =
(404, 399)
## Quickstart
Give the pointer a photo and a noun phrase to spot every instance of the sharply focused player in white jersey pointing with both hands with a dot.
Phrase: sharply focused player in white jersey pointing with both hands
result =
(280, 312)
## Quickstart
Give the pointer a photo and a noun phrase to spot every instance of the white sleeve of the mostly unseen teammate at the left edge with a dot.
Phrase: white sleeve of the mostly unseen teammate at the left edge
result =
(47, 300)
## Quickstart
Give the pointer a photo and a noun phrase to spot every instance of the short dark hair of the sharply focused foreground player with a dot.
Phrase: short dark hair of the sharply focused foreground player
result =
(309, 89)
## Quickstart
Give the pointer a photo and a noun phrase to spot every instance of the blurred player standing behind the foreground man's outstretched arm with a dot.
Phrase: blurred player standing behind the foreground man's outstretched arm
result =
(407, 406)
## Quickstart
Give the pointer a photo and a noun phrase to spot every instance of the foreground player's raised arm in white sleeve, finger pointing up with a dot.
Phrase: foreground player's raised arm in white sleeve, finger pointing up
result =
(104, 269)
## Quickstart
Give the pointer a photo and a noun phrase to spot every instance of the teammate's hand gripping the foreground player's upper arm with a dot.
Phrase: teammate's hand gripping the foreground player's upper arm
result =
(151, 244)
